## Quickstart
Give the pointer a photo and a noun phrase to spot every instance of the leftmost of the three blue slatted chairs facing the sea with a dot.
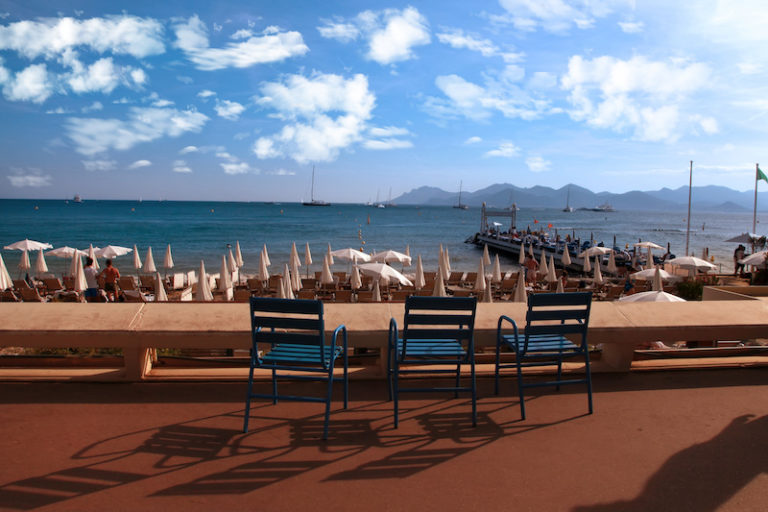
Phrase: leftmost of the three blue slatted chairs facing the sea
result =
(295, 332)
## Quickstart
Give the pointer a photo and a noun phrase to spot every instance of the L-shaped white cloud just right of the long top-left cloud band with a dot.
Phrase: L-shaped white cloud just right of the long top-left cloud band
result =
(271, 46)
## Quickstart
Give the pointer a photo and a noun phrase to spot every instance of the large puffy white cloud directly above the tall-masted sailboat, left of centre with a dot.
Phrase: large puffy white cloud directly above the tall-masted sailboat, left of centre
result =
(312, 133)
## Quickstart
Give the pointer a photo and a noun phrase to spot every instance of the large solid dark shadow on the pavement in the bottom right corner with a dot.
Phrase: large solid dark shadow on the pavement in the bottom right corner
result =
(703, 477)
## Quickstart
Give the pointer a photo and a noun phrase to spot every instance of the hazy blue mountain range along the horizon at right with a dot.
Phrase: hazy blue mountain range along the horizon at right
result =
(709, 198)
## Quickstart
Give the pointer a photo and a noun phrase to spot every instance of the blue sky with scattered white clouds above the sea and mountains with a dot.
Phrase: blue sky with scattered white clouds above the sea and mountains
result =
(238, 101)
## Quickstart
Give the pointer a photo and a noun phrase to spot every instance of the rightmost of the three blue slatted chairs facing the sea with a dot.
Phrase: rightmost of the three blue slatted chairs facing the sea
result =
(550, 319)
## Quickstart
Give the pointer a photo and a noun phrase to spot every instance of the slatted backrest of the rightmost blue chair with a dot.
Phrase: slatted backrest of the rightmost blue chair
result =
(558, 314)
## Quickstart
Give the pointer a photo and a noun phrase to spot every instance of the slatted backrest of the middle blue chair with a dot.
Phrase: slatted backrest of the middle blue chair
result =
(439, 318)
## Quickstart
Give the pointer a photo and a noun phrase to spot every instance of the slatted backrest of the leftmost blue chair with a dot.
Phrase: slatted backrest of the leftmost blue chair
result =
(289, 321)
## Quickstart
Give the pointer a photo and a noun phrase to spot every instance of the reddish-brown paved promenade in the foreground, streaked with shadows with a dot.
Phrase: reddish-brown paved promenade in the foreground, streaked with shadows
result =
(677, 440)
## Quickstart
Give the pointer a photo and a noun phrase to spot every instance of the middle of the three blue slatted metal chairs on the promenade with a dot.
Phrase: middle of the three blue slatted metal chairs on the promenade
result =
(436, 331)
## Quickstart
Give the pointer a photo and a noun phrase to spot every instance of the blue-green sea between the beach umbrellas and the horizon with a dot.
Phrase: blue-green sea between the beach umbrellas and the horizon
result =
(199, 230)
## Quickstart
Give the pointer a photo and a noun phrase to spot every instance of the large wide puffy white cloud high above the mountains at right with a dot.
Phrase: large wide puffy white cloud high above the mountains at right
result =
(637, 94)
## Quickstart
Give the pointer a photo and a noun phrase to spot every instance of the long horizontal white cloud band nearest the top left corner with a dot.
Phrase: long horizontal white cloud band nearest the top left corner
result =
(123, 35)
